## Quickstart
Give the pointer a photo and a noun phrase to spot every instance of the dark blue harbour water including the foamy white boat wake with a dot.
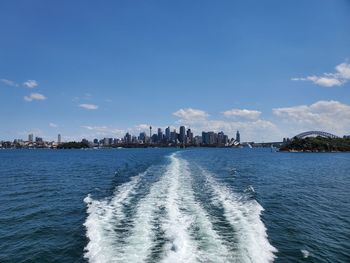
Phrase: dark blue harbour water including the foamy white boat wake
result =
(173, 205)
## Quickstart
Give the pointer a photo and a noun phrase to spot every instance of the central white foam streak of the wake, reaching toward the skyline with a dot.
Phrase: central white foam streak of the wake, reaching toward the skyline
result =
(184, 215)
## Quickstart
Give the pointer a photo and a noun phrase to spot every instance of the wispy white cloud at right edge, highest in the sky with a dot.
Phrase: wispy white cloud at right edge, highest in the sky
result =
(340, 77)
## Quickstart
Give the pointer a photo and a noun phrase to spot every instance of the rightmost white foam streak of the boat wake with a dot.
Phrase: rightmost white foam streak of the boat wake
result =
(244, 217)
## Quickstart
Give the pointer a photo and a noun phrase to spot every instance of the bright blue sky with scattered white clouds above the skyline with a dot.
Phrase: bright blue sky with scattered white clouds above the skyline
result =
(93, 69)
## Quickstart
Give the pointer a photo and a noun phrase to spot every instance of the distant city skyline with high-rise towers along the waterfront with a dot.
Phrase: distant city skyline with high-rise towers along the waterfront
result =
(168, 138)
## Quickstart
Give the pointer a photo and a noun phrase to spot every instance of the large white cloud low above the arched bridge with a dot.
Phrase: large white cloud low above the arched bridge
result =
(331, 116)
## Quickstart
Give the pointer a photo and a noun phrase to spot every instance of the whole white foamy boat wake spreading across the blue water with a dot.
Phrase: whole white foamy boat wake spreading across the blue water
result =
(167, 221)
